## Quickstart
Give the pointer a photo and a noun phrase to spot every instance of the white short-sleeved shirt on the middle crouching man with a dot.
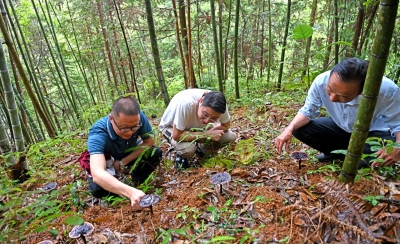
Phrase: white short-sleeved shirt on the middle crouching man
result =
(182, 111)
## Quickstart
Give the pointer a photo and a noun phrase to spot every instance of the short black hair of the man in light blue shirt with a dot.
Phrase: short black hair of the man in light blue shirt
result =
(352, 70)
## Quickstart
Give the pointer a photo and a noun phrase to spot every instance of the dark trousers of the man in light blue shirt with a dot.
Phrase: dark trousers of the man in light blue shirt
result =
(324, 135)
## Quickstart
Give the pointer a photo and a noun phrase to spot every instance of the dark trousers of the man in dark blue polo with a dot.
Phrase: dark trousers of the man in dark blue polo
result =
(148, 163)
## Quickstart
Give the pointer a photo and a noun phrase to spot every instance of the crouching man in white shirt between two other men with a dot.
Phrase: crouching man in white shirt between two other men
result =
(196, 120)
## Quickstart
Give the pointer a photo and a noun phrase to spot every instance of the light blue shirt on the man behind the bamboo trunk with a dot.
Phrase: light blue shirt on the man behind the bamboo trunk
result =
(387, 111)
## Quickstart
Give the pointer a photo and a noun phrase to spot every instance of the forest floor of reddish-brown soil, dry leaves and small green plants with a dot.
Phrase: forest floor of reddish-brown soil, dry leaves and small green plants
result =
(268, 200)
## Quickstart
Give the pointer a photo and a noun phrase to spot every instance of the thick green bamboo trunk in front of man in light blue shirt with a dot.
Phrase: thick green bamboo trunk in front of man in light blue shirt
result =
(376, 68)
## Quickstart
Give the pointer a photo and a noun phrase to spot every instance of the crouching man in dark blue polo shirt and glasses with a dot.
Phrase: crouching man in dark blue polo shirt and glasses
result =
(117, 135)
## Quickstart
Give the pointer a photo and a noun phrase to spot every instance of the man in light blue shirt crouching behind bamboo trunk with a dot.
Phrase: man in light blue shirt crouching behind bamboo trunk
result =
(339, 91)
